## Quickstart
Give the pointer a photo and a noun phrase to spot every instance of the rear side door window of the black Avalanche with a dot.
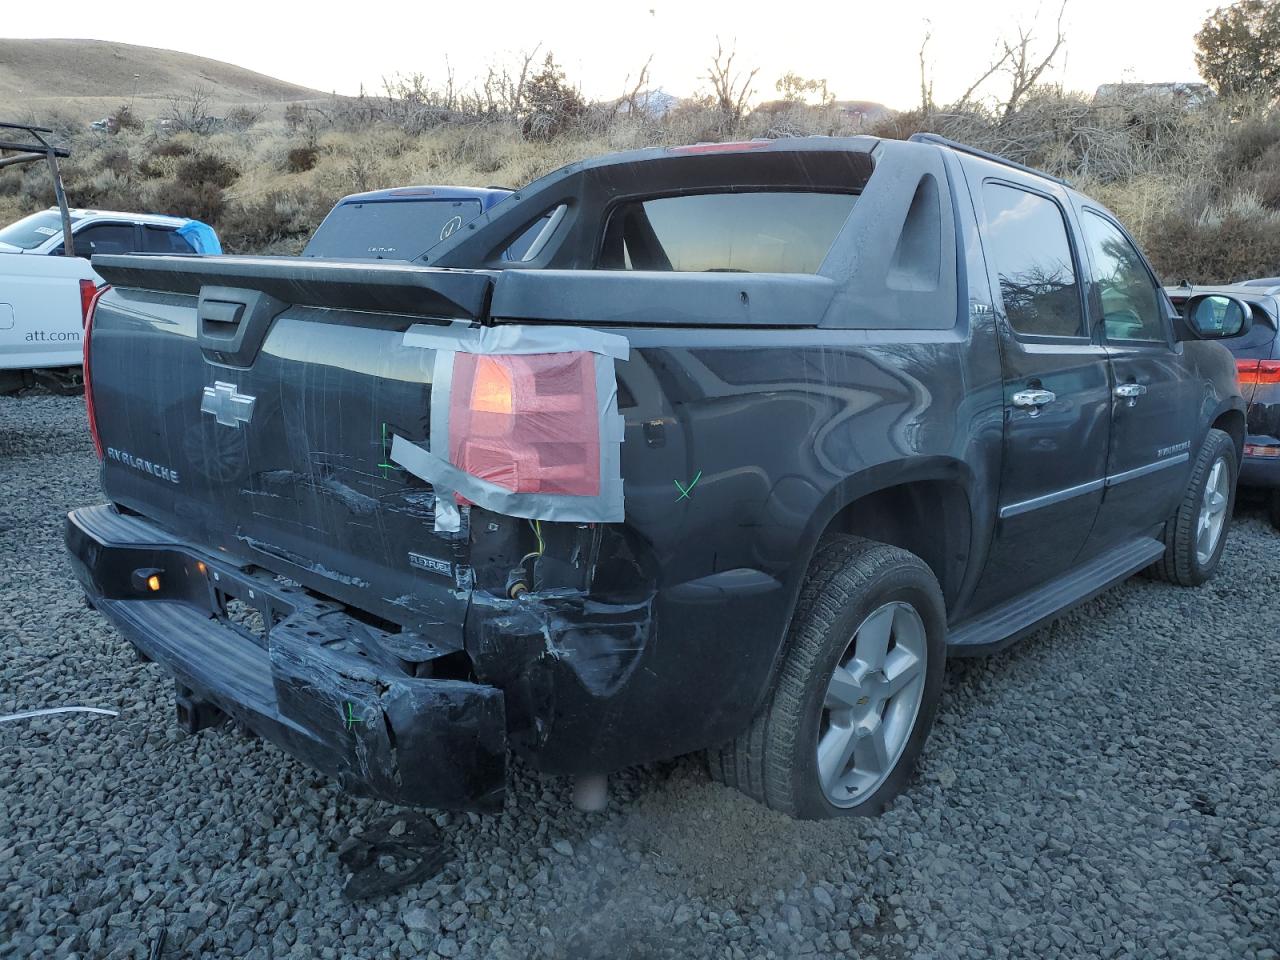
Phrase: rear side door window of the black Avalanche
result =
(1028, 245)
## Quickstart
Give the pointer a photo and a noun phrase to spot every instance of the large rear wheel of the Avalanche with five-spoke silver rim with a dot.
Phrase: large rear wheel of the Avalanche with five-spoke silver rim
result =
(857, 693)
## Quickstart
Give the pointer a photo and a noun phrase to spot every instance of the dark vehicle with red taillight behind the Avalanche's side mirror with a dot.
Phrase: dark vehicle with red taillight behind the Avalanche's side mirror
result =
(1258, 362)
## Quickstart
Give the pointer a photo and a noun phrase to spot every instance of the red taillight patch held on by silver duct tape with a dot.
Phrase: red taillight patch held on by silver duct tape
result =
(528, 423)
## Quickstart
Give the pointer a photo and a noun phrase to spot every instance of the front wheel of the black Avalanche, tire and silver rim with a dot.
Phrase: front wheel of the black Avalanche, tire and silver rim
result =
(1196, 536)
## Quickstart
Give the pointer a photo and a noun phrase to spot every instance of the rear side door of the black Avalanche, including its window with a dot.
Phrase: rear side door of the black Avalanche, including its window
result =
(1058, 392)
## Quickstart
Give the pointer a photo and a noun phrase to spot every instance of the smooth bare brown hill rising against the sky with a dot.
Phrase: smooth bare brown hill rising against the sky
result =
(88, 79)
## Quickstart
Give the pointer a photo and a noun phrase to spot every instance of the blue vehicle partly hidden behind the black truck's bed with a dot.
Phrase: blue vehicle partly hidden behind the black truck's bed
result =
(399, 223)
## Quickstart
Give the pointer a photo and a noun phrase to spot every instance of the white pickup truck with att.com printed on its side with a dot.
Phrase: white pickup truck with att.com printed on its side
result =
(44, 294)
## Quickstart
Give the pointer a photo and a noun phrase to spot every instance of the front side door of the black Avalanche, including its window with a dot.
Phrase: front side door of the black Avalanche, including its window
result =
(1155, 394)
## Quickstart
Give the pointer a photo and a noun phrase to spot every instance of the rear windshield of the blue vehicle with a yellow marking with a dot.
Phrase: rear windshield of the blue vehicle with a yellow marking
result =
(399, 230)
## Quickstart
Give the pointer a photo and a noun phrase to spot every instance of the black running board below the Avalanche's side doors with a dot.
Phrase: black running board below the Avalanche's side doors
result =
(1016, 619)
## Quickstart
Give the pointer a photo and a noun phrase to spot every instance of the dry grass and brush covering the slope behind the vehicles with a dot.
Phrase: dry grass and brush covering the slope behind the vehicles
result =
(1197, 186)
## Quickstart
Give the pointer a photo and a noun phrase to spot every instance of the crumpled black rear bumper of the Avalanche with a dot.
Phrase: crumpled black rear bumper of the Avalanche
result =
(341, 696)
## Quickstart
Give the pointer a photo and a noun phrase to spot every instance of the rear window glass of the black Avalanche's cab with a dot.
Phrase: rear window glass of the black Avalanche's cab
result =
(757, 232)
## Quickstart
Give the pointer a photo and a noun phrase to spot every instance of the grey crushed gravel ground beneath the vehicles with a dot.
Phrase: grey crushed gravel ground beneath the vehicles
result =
(1109, 788)
